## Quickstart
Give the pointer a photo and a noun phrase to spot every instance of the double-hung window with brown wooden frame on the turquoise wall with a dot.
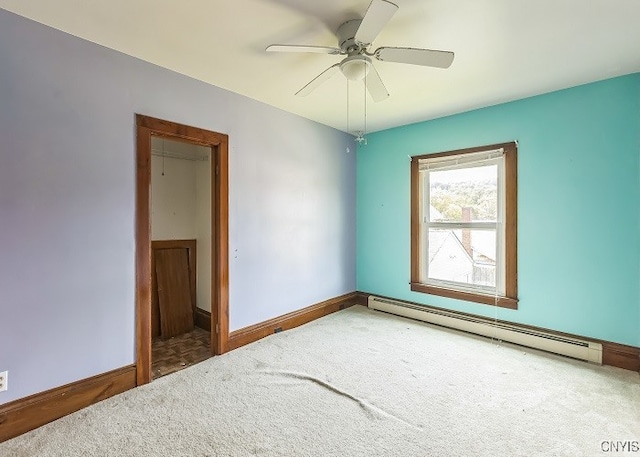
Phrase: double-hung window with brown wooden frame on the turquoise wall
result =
(464, 224)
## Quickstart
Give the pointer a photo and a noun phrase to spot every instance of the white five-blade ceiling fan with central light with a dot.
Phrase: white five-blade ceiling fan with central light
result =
(354, 39)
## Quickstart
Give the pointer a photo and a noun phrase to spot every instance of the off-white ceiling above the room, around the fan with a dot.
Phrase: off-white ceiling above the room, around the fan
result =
(504, 49)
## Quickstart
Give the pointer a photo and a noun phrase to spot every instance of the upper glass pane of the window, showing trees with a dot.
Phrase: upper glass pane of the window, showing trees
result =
(464, 195)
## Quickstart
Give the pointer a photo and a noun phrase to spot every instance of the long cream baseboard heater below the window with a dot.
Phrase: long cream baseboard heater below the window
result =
(590, 351)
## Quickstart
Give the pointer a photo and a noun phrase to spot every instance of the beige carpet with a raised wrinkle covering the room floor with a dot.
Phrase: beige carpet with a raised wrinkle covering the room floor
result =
(359, 383)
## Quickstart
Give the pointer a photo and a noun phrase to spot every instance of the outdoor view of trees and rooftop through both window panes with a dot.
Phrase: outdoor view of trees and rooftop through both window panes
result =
(466, 255)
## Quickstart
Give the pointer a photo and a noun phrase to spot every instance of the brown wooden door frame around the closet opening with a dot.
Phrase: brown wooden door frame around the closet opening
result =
(146, 127)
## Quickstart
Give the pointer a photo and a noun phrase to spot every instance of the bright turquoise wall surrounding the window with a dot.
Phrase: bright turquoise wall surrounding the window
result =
(578, 213)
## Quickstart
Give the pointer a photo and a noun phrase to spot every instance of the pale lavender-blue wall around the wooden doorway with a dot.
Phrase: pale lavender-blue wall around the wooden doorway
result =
(67, 182)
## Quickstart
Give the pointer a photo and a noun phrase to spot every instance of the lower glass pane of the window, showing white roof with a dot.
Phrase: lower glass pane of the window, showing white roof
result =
(465, 256)
